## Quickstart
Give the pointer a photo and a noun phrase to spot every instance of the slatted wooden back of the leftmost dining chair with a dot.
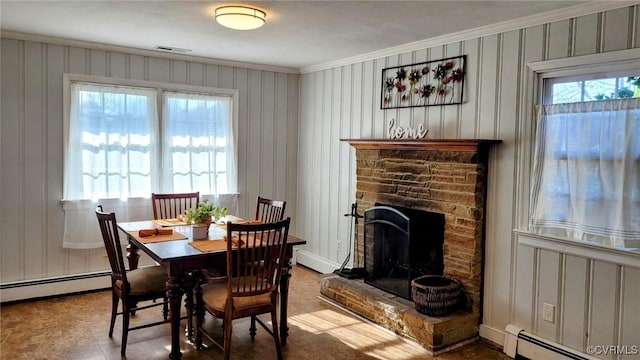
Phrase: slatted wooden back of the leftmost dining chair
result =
(109, 230)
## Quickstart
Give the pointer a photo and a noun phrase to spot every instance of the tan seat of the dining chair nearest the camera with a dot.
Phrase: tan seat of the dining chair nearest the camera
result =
(215, 296)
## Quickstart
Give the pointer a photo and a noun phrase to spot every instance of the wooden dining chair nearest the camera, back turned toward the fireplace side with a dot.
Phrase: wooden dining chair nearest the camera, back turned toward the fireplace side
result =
(255, 257)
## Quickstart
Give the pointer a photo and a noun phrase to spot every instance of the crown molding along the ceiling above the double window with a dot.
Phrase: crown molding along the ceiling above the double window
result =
(143, 52)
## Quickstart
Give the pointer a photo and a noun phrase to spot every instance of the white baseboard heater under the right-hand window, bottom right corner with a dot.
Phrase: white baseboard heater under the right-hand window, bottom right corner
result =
(521, 343)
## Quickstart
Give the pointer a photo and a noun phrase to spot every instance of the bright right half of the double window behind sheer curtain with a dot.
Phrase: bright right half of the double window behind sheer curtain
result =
(198, 144)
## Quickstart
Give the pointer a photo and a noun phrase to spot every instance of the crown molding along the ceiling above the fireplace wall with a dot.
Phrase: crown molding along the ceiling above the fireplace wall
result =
(501, 27)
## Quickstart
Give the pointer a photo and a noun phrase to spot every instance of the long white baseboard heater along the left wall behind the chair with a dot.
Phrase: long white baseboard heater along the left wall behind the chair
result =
(62, 285)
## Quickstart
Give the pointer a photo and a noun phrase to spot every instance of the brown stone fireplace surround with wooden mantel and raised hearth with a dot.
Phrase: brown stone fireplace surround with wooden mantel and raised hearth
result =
(446, 176)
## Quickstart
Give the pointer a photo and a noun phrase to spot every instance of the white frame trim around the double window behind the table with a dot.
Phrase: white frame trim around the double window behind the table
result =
(68, 79)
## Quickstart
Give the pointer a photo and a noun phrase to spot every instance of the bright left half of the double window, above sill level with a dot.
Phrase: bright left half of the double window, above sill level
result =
(111, 142)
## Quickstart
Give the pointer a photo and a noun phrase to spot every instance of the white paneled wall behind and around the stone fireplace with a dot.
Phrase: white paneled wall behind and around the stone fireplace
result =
(596, 301)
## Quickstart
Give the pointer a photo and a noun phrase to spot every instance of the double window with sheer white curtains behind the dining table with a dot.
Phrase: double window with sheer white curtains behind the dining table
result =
(127, 141)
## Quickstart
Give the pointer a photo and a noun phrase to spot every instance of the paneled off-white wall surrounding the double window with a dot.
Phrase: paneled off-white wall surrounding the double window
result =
(31, 143)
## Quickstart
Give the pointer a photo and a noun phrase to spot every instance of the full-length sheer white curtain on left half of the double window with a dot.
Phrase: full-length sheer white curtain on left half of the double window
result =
(111, 139)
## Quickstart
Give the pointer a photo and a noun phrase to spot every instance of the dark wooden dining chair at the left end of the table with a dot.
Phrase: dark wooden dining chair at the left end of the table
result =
(132, 287)
